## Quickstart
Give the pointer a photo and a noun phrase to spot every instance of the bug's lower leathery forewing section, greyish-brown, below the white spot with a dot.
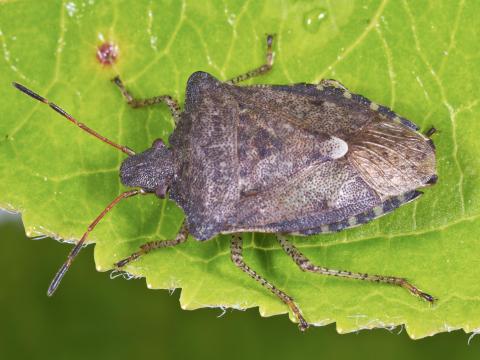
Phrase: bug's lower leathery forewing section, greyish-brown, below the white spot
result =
(318, 194)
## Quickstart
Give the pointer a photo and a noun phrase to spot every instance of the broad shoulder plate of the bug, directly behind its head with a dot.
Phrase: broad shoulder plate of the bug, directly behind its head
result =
(205, 184)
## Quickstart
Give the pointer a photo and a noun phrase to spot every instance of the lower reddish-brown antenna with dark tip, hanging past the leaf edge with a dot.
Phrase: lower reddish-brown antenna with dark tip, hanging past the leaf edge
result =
(63, 269)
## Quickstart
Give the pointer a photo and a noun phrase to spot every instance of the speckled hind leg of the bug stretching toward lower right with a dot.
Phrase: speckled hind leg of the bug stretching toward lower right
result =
(306, 265)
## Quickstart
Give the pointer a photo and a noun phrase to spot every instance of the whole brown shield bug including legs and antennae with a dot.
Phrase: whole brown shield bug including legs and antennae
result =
(285, 159)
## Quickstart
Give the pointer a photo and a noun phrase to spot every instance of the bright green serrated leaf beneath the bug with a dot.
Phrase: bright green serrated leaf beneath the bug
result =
(418, 57)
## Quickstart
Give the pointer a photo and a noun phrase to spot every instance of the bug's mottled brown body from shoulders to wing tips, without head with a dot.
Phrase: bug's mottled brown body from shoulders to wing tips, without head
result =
(290, 158)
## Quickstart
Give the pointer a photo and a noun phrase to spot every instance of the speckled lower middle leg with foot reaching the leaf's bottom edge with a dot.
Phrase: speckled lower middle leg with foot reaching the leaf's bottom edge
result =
(237, 258)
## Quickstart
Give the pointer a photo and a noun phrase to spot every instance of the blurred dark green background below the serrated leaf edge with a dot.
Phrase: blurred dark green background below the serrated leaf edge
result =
(124, 320)
